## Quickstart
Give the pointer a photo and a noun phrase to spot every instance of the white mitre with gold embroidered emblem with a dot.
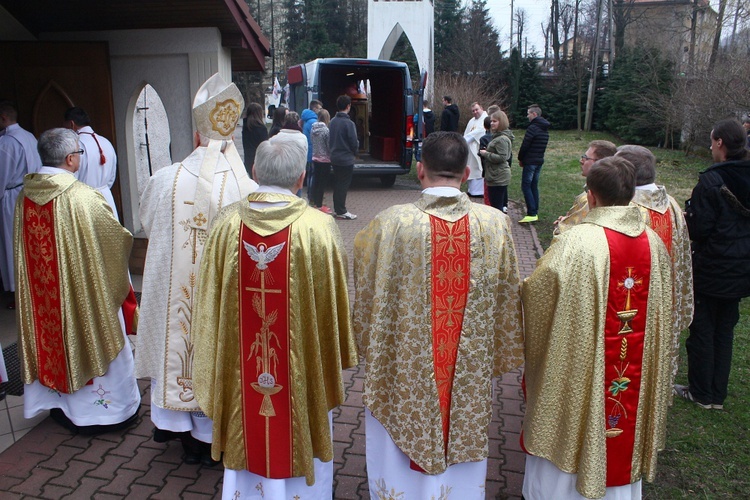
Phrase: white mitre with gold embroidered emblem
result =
(217, 107)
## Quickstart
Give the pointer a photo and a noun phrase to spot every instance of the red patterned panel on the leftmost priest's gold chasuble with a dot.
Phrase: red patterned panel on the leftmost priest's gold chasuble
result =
(44, 282)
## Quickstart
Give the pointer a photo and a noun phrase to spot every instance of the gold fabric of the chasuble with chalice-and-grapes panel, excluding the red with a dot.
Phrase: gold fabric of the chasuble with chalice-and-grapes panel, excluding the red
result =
(565, 302)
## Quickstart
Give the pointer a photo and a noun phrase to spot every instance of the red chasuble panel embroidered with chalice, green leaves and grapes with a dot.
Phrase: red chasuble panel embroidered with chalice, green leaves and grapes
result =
(625, 325)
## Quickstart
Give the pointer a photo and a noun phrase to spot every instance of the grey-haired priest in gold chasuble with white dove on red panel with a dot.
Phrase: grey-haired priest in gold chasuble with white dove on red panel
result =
(272, 333)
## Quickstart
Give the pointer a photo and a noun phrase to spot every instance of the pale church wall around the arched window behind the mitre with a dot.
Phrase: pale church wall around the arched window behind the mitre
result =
(175, 62)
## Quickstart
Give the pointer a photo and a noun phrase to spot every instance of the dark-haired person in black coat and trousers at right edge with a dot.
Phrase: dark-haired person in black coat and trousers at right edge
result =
(718, 220)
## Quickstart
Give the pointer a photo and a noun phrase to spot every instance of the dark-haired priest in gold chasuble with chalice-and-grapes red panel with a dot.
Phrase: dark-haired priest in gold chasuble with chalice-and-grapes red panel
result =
(598, 370)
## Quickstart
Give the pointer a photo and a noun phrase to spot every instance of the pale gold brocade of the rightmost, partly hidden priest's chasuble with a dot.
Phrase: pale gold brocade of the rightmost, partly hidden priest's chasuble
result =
(682, 266)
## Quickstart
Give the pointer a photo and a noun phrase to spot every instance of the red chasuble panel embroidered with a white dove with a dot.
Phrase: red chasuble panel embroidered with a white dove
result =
(264, 351)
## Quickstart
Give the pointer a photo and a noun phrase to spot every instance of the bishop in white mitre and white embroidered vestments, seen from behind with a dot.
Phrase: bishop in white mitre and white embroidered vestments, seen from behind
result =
(177, 208)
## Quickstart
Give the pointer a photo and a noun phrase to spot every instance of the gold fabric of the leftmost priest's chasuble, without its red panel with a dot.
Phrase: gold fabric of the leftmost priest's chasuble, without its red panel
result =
(92, 259)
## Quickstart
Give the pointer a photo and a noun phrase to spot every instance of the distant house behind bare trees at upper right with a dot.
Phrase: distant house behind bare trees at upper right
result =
(667, 25)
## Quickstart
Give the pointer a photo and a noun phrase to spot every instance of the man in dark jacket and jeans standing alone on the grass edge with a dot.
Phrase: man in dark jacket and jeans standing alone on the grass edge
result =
(531, 158)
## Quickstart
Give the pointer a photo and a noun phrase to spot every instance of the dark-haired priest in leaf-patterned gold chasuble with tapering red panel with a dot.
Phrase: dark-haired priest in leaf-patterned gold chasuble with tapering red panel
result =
(437, 315)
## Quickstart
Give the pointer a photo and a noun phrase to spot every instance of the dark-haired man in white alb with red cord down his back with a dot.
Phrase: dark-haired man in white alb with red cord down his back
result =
(99, 160)
